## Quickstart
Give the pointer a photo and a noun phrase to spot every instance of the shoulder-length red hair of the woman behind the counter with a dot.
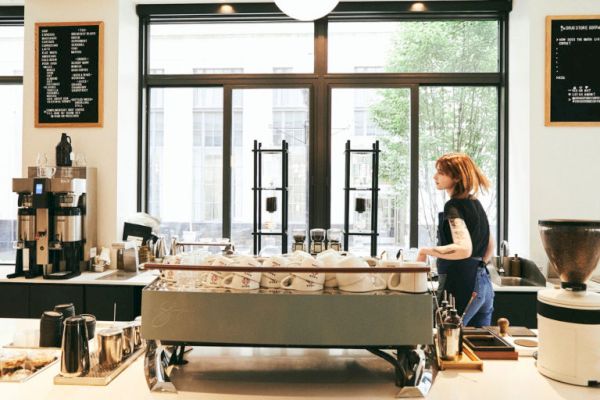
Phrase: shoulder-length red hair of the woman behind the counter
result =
(461, 168)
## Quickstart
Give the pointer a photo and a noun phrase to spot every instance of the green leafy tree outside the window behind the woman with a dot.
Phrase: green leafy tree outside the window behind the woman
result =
(457, 119)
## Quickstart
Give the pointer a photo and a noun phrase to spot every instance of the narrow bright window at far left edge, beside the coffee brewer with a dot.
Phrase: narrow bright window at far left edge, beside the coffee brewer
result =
(11, 95)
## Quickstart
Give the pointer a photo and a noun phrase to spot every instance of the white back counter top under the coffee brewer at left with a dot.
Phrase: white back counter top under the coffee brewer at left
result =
(108, 277)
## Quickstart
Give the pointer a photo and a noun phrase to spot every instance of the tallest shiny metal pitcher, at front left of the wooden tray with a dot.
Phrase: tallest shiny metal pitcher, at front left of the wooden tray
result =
(75, 358)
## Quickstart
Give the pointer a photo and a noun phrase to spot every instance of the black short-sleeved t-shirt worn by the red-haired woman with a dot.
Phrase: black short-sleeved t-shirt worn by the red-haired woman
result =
(471, 211)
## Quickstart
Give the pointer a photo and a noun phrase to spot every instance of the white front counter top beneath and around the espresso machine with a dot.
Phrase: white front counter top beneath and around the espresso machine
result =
(247, 373)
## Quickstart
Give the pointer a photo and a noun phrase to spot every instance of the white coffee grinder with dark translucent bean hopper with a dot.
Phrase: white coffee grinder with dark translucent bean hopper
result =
(569, 317)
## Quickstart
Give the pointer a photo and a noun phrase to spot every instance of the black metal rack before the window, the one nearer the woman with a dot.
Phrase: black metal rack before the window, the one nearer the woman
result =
(374, 189)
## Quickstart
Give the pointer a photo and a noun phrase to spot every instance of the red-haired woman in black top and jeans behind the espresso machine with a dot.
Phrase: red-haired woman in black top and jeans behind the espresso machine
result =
(464, 241)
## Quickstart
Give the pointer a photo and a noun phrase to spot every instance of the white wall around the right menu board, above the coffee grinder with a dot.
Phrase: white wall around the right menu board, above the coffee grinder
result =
(553, 170)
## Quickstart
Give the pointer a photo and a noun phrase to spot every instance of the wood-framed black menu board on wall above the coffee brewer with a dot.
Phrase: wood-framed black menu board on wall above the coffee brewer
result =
(69, 74)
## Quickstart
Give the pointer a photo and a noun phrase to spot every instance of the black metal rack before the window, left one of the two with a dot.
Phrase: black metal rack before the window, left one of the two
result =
(258, 190)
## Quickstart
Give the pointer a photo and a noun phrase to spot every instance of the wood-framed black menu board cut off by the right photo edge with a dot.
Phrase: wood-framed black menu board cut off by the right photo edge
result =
(573, 70)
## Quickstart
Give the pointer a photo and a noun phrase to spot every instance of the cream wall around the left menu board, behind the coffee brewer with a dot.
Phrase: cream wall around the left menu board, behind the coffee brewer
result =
(112, 149)
